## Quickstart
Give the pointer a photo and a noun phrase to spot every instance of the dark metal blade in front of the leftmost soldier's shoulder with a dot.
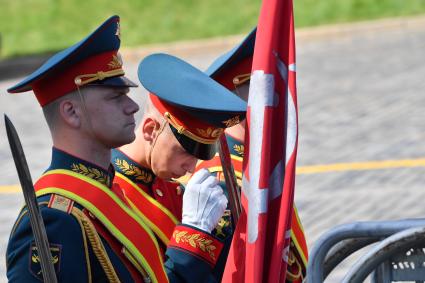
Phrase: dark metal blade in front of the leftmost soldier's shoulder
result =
(37, 224)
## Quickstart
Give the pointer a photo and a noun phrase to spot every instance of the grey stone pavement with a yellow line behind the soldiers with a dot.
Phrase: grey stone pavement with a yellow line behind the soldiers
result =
(361, 98)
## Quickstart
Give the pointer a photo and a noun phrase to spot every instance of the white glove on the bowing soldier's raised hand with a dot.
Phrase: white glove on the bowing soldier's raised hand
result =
(203, 201)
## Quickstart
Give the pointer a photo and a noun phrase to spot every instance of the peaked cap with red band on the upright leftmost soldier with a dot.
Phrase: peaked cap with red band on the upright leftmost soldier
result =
(94, 60)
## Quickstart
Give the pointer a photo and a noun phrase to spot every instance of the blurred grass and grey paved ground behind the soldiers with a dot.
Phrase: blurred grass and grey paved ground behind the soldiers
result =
(360, 77)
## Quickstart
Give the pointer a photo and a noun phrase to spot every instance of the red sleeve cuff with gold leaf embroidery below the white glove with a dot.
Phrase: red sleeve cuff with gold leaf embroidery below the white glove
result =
(197, 243)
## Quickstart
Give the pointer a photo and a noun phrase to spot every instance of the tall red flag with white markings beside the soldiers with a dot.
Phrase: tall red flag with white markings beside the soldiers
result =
(261, 241)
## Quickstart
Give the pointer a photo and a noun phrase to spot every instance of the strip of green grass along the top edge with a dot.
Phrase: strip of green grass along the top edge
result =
(40, 26)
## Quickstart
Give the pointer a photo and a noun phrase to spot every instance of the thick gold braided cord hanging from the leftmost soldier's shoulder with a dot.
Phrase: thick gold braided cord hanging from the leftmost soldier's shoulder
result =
(96, 244)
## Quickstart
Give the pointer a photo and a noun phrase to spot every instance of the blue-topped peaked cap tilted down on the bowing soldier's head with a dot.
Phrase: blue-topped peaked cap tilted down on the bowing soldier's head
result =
(197, 108)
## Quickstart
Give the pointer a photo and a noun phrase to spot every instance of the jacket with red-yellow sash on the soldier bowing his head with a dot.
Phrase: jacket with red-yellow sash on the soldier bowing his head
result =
(159, 204)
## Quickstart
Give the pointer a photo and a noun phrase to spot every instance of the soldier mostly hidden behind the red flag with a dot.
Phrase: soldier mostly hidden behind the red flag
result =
(232, 70)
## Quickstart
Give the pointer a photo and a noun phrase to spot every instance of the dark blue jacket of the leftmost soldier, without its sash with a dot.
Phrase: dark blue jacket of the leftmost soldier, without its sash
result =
(70, 228)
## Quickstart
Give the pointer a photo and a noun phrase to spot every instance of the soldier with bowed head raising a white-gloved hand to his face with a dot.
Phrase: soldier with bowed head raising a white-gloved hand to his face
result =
(185, 113)
